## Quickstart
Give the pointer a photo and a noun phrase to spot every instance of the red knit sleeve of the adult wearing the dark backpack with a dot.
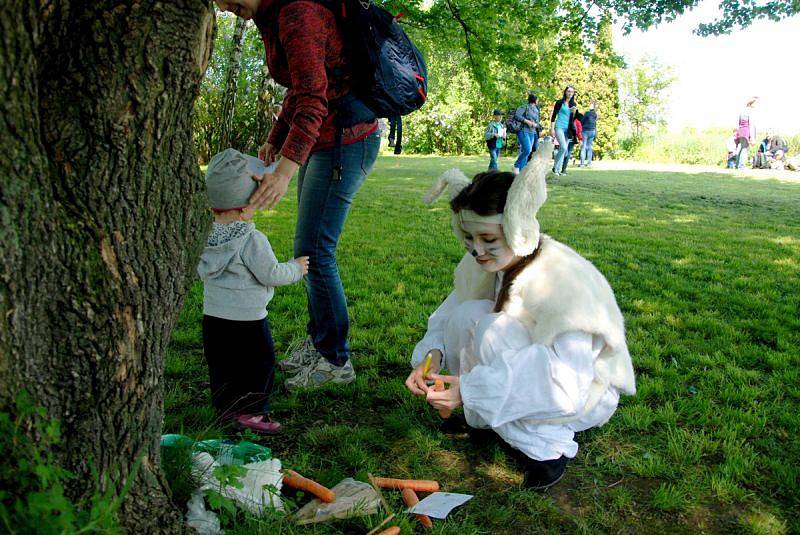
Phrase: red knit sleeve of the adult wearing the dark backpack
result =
(302, 31)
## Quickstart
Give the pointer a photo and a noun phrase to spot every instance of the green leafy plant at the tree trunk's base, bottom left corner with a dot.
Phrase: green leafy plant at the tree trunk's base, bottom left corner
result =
(33, 497)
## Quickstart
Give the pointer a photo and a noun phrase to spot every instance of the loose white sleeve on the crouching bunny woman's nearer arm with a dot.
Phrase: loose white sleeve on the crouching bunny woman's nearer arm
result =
(535, 382)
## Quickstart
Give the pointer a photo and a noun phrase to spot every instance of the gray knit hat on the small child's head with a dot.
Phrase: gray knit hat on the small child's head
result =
(229, 180)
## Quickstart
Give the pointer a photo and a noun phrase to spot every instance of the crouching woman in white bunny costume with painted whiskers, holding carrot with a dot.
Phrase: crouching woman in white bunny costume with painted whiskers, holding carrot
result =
(532, 335)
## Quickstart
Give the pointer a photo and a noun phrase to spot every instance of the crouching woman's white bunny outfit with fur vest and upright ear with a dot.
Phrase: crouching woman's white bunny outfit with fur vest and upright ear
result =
(553, 362)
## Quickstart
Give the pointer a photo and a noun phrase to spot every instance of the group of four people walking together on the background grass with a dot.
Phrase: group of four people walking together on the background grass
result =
(567, 127)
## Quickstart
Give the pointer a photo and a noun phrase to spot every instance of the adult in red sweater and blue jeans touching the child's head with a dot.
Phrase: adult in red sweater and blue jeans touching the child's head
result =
(305, 53)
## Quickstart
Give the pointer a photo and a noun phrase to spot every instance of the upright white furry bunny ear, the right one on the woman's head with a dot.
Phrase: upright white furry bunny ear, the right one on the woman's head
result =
(525, 196)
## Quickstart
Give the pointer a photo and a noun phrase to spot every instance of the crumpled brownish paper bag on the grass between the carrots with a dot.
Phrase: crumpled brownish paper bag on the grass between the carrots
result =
(353, 498)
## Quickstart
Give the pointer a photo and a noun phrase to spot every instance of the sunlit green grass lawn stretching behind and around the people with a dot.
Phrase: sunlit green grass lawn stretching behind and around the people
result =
(706, 270)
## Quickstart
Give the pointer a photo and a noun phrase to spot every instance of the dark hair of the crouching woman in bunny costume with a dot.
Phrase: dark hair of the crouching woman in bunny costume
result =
(486, 195)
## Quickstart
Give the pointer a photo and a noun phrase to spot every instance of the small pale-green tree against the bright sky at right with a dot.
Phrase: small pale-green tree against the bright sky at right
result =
(644, 88)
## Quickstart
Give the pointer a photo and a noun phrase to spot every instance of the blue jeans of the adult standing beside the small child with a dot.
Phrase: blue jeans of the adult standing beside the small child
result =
(323, 203)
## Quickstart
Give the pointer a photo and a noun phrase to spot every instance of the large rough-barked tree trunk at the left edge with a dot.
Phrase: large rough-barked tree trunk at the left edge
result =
(102, 217)
